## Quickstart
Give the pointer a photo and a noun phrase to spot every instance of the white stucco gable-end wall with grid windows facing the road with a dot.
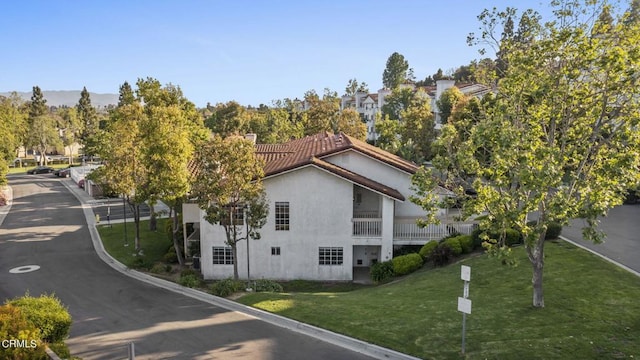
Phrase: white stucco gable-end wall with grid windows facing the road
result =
(320, 207)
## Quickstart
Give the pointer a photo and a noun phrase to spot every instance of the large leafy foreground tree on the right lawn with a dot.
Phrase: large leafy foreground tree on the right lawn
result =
(560, 138)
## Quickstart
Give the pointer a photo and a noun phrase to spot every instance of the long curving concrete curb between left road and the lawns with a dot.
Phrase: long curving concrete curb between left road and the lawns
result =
(343, 341)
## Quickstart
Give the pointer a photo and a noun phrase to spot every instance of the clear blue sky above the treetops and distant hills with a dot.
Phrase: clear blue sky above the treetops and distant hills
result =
(252, 52)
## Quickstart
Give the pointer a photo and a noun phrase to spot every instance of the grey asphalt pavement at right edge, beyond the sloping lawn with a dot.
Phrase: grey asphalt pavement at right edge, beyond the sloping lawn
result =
(622, 244)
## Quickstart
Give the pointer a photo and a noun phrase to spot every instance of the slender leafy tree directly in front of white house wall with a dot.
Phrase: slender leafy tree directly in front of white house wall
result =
(229, 189)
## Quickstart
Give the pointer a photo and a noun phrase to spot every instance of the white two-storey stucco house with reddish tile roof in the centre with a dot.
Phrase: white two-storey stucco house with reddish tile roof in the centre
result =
(335, 203)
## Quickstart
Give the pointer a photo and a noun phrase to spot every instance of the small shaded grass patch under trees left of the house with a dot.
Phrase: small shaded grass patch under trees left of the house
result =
(153, 244)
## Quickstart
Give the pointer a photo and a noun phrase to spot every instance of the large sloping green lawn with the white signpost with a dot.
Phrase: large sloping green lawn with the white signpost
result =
(592, 310)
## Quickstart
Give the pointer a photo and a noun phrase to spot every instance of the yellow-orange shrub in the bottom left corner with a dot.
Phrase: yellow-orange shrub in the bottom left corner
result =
(14, 326)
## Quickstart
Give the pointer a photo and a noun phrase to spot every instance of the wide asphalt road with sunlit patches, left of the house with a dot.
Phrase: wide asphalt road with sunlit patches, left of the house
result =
(46, 227)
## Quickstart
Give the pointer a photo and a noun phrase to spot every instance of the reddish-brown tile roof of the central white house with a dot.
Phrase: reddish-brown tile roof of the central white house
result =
(311, 150)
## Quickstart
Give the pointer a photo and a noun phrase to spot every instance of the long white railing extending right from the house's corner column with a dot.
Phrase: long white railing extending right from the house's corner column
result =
(407, 229)
